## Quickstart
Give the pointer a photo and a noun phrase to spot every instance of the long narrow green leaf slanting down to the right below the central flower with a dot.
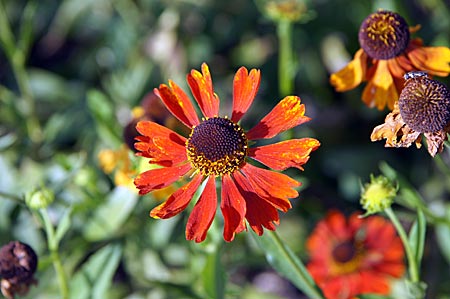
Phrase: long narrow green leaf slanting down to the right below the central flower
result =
(285, 262)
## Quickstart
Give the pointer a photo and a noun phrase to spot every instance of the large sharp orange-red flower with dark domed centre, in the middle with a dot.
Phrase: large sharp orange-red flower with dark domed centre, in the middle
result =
(219, 148)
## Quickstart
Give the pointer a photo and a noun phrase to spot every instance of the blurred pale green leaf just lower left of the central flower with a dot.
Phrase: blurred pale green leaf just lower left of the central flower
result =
(109, 217)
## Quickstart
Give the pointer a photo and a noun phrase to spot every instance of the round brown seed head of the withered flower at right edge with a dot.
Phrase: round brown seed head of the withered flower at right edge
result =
(425, 104)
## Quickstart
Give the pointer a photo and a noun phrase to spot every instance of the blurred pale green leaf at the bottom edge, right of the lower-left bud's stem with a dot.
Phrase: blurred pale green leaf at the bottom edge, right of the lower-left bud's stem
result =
(95, 277)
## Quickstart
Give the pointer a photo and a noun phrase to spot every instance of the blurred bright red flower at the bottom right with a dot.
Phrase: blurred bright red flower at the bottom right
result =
(354, 256)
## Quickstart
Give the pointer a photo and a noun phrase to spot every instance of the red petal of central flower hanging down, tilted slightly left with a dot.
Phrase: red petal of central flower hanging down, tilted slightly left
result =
(203, 213)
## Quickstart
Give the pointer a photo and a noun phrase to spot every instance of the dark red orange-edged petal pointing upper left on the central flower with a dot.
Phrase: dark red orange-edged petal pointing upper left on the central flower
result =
(178, 103)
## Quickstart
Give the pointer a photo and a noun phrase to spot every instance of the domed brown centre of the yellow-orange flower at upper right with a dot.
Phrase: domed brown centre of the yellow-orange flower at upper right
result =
(384, 35)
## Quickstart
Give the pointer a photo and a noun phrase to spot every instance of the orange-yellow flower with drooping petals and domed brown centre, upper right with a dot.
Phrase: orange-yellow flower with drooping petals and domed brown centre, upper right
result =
(387, 53)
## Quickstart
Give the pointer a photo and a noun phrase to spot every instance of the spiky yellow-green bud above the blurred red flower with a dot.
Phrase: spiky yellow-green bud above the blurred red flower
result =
(377, 195)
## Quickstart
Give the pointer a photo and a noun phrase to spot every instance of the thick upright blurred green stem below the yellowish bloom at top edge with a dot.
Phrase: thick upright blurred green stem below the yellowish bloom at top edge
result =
(285, 59)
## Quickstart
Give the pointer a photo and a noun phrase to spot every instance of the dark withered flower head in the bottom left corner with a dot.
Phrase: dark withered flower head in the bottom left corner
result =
(18, 263)
